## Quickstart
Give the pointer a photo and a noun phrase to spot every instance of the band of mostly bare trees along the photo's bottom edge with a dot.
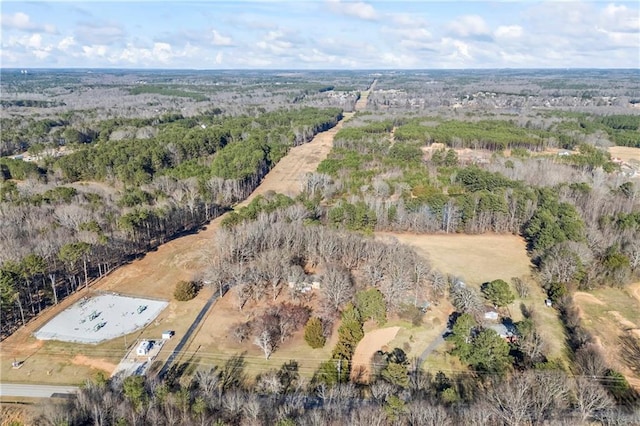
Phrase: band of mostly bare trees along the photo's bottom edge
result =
(225, 394)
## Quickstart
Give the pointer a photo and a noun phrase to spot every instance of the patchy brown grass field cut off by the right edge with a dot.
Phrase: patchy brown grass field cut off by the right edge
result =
(609, 313)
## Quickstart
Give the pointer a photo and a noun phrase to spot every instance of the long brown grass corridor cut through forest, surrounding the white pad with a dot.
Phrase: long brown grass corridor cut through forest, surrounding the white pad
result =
(153, 275)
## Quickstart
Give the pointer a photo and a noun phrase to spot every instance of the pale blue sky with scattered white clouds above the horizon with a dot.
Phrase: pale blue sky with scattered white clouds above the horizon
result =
(319, 34)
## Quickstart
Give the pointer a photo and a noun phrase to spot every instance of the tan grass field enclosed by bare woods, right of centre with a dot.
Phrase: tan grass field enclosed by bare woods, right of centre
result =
(473, 258)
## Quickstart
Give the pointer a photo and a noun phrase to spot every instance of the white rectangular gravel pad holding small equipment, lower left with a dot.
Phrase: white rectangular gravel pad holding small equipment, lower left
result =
(100, 318)
